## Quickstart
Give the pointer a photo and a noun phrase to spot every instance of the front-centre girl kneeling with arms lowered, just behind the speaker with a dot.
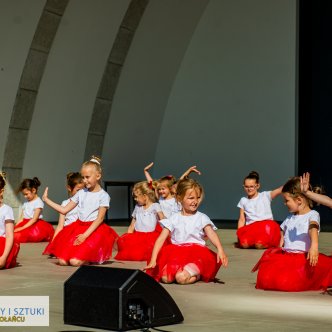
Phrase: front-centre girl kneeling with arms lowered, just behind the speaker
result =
(187, 259)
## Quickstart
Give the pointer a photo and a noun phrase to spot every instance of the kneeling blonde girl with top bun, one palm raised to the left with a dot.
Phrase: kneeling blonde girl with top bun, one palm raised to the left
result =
(89, 239)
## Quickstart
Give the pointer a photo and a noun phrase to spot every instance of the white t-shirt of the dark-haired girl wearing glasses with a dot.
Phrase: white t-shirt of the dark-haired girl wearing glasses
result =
(258, 208)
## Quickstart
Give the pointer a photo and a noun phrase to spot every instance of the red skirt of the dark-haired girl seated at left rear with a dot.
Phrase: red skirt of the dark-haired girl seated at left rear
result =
(40, 231)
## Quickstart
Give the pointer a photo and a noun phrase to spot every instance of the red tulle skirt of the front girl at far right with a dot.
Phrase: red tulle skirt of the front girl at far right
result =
(291, 272)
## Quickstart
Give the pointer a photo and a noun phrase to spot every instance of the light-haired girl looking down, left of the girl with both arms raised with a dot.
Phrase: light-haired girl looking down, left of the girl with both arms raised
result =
(138, 243)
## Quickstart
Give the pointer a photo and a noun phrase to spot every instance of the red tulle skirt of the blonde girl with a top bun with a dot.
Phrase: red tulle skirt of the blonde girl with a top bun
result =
(97, 248)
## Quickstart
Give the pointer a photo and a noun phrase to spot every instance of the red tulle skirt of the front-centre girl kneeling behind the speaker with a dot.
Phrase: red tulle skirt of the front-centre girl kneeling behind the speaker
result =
(173, 258)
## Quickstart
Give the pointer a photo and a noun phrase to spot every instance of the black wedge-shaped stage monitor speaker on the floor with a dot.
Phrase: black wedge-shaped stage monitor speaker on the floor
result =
(117, 299)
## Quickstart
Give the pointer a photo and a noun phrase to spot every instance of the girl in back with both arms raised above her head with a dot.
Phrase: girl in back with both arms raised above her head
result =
(165, 189)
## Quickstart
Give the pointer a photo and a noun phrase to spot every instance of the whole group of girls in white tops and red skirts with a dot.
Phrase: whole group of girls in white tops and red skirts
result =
(169, 233)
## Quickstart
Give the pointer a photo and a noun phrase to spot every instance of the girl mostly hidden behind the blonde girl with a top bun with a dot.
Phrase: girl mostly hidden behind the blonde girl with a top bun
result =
(74, 184)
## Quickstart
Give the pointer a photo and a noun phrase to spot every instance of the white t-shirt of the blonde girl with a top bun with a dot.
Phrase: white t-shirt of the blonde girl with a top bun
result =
(90, 202)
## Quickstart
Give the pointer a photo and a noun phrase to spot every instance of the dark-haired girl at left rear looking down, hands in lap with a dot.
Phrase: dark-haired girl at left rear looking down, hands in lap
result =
(32, 227)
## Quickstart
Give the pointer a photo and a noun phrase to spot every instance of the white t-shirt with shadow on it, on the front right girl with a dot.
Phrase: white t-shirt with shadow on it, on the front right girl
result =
(296, 231)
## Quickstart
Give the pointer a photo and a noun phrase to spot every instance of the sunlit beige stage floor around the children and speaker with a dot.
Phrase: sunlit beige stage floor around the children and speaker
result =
(231, 305)
